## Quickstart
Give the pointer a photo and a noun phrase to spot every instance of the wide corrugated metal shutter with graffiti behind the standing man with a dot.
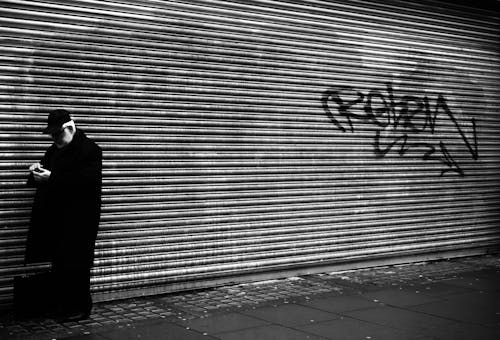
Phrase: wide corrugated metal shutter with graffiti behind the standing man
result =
(249, 136)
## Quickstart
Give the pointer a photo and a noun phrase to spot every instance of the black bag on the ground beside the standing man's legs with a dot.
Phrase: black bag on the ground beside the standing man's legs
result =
(34, 295)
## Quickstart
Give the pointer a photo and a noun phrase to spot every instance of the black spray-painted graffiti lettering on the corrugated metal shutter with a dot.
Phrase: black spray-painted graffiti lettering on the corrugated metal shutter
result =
(402, 117)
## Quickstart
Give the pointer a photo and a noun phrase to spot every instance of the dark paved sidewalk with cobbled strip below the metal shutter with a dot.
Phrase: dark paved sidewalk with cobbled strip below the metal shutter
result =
(455, 299)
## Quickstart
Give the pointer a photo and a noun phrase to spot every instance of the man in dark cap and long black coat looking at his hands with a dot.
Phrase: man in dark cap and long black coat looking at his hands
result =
(66, 213)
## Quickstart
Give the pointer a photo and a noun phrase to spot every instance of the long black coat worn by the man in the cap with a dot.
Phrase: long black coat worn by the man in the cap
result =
(66, 209)
